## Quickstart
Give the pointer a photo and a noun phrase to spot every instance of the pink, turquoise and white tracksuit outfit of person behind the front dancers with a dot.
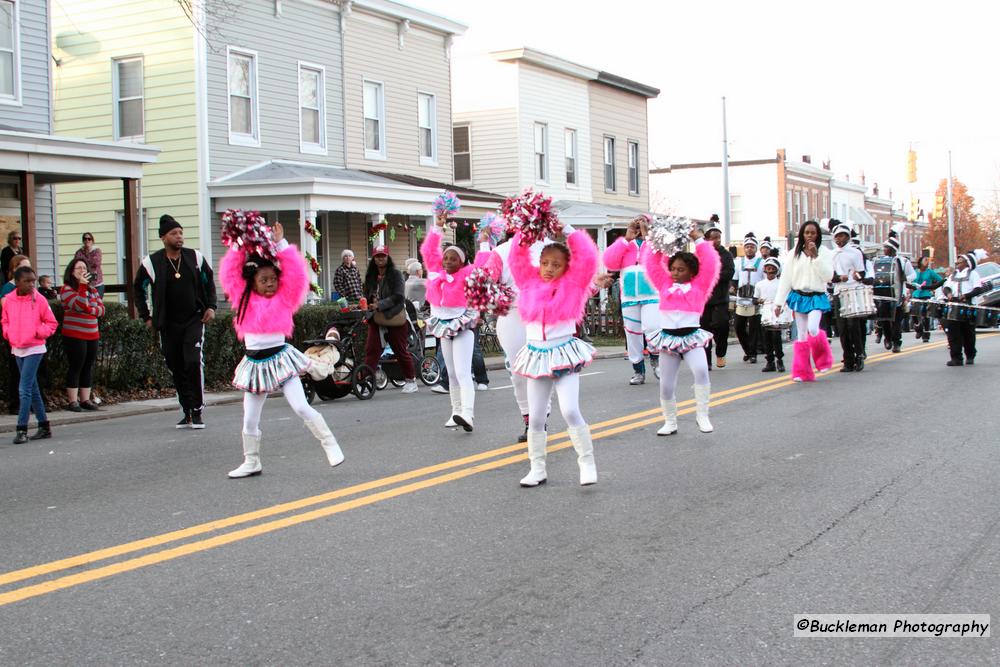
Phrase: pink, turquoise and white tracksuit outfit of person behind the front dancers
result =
(640, 303)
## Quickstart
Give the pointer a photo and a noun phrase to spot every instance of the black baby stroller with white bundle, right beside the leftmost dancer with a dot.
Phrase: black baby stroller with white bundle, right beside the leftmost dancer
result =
(338, 368)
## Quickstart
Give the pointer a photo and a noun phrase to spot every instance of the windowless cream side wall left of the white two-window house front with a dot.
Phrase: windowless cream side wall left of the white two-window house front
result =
(494, 149)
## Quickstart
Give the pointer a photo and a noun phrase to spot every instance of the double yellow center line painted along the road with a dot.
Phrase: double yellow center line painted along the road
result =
(469, 465)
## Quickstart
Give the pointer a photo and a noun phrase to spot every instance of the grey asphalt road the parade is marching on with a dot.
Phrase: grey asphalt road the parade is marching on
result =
(122, 542)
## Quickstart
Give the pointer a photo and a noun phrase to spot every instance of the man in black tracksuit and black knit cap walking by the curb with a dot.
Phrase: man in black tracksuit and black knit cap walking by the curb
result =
(183, 296)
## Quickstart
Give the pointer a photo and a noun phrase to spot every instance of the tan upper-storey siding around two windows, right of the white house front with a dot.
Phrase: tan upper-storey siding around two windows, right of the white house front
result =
(621, 115)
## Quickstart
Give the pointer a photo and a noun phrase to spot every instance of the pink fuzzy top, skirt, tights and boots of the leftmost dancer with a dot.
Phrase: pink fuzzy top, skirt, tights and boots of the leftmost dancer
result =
(271, 363)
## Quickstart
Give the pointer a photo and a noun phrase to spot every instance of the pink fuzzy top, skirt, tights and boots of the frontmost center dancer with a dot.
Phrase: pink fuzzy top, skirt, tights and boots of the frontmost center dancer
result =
(553, 355)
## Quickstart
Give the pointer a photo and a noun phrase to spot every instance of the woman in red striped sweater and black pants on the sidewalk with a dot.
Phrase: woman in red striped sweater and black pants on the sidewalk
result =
(82, 305)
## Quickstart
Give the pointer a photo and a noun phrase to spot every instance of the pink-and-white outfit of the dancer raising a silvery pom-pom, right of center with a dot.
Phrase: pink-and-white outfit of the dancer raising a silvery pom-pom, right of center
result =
(681, 305)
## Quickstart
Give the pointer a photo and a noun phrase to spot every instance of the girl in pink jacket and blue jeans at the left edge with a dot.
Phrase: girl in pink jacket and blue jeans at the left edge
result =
(27, 322)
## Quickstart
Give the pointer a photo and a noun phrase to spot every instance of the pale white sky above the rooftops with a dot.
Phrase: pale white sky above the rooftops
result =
(854, 82)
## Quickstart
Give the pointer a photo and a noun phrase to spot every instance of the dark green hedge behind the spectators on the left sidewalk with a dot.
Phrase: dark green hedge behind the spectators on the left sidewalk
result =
(129, 358)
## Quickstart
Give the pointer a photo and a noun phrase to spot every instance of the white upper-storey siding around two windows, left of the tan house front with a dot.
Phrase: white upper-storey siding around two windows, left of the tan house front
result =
(560, 101)
